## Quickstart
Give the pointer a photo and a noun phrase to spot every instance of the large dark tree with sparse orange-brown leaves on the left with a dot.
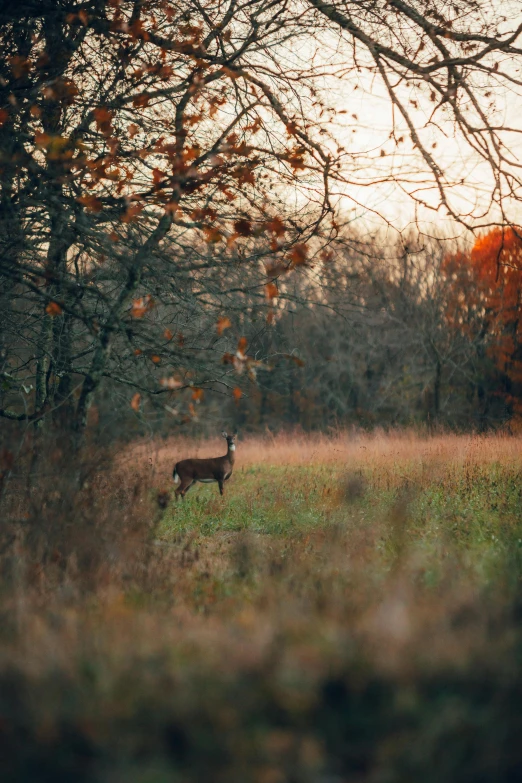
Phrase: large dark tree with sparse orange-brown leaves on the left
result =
(145, 158)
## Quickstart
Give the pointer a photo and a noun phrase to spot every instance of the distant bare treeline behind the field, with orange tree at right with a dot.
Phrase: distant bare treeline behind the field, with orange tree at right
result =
(418, 334)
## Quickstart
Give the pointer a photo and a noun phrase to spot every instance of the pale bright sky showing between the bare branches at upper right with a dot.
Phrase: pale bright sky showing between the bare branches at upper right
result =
(366, 133)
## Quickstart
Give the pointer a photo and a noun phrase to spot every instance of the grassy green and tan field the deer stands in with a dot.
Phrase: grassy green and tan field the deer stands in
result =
(348, 612)
